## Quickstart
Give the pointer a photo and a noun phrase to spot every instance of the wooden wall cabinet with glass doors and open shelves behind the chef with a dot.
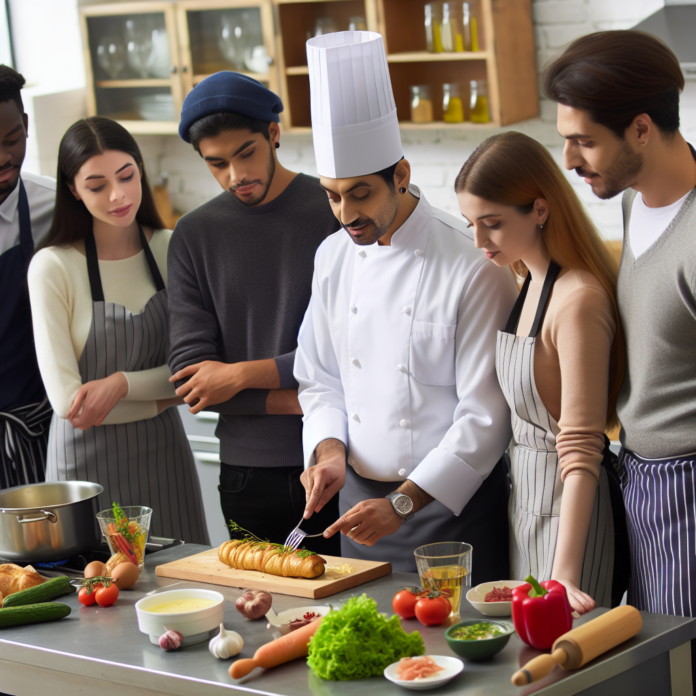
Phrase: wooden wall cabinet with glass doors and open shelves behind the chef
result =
(506, 59)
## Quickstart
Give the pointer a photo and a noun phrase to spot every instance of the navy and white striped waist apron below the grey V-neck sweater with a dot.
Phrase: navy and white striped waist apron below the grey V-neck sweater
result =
(660, 497)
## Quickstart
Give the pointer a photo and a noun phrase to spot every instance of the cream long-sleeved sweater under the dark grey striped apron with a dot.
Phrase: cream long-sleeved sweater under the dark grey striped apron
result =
(61, 305)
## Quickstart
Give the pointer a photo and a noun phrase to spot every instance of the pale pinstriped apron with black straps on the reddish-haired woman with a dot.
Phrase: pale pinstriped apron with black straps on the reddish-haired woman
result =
(537, 488)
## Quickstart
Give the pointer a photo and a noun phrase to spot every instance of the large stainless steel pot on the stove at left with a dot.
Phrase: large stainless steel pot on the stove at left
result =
(46, 522)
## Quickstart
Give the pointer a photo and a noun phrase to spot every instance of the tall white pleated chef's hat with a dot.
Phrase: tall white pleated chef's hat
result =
(354, 122)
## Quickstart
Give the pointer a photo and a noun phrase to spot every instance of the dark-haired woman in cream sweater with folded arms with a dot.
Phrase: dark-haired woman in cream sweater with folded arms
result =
(99, 307)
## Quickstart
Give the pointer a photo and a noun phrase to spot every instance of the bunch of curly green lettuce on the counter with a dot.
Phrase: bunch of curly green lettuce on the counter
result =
(357, 641)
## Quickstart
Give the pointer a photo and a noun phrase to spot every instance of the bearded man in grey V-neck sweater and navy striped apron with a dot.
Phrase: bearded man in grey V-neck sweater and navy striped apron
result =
(618, 109)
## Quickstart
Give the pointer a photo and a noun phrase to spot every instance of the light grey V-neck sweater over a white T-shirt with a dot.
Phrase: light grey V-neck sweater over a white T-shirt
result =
(657, 303)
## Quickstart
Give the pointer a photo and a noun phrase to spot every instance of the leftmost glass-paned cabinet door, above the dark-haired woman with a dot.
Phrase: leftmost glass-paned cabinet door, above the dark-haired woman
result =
(131, 57)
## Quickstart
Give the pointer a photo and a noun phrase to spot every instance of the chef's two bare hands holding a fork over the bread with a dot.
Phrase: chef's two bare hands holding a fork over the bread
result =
(369, 520)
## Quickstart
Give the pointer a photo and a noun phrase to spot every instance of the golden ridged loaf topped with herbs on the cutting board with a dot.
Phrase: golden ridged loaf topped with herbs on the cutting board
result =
(271, 559)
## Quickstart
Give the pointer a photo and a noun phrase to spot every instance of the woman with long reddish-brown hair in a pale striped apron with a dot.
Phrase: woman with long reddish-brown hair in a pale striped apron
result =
(559, 363)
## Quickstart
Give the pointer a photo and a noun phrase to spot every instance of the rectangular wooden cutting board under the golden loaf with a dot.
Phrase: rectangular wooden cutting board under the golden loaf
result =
(207, 567)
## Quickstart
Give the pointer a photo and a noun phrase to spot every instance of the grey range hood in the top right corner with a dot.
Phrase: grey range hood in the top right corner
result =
(675, 24)
